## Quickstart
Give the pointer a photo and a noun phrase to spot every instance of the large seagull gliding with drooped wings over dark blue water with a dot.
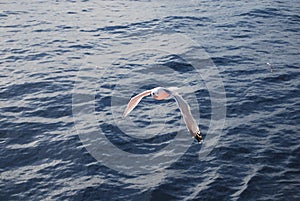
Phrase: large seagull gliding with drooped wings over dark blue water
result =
(160, 93)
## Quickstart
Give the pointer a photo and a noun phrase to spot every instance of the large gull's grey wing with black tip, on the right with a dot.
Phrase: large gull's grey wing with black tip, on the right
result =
(189, 120)
